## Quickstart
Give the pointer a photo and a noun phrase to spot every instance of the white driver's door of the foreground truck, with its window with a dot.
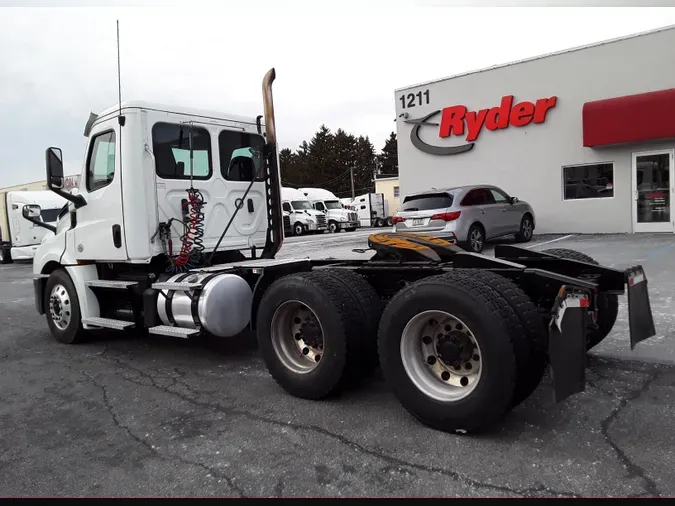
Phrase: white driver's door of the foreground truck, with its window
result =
(99, 231)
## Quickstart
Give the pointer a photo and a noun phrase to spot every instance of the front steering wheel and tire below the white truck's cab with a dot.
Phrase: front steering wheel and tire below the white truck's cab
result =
(62, 308)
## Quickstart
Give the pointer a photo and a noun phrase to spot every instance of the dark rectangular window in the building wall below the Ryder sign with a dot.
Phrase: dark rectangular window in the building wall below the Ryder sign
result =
(590, 181)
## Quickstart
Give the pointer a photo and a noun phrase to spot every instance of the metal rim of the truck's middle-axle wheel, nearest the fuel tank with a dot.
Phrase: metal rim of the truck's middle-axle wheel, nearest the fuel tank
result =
(297, 337)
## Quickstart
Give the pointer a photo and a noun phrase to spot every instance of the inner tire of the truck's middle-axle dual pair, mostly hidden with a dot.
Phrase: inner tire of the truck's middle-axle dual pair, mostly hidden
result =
(370, 308)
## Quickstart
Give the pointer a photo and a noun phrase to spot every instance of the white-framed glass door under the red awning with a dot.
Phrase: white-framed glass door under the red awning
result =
(652, 192)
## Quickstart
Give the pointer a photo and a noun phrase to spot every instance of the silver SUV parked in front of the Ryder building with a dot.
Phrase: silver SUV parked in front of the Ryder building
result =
(467, 215)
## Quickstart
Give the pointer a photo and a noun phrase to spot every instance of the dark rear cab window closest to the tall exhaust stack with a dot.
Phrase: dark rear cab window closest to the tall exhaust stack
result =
(240, 155)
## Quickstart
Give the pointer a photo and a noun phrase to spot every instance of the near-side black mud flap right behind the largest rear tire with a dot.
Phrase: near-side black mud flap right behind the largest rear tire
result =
(567, 342)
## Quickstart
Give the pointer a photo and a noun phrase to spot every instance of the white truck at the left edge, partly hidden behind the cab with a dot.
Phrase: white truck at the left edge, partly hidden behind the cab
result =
(19, 238)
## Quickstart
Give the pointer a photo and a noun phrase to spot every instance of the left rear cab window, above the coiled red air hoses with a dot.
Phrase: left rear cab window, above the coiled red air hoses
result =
(171, 147)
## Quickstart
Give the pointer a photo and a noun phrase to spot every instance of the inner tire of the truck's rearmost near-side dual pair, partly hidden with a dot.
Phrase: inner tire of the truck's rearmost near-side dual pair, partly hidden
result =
(532, 346)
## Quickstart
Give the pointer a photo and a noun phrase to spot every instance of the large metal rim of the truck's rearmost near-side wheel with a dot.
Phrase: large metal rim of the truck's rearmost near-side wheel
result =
(441, 356)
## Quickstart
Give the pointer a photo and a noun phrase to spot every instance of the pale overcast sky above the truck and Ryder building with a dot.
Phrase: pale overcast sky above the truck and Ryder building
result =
(337, 63)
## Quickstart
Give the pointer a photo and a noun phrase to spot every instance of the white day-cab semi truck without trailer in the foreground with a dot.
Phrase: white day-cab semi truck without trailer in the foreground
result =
(461, 338)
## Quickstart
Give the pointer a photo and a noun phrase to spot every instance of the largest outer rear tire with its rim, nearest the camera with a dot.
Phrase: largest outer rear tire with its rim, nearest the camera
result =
(452, 307)
